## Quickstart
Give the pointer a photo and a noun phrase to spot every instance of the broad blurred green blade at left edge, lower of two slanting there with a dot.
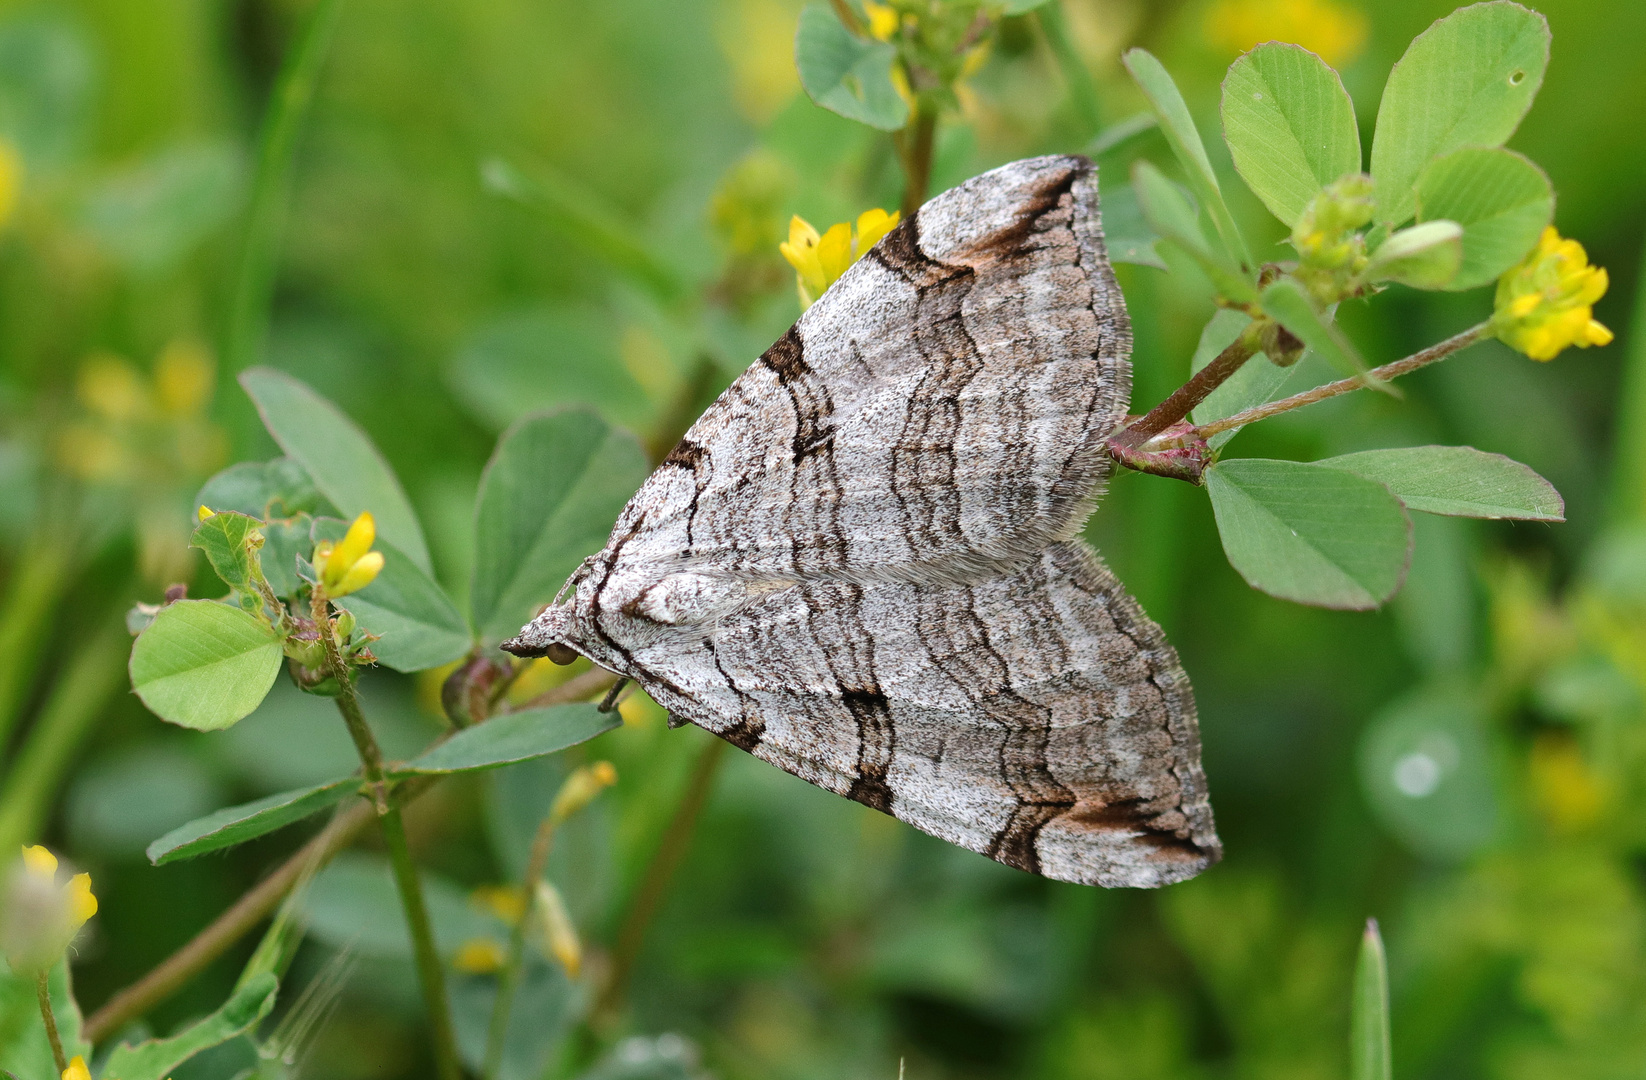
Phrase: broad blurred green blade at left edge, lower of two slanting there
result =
(75, 704)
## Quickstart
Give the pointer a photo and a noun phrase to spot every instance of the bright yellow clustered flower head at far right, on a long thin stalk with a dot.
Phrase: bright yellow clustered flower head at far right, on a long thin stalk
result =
(1546, 304)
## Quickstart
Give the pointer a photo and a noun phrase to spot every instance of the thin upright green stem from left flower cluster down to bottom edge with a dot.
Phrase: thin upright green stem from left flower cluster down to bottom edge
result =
(389, 821)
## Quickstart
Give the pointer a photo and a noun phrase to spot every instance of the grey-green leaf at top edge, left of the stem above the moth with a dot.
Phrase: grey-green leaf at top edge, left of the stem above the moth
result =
(845, 73)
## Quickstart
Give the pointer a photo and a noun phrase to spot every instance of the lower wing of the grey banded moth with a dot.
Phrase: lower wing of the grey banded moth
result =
(1035, 717)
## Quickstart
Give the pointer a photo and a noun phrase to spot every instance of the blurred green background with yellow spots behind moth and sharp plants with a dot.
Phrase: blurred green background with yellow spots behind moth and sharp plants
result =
(1466, 766)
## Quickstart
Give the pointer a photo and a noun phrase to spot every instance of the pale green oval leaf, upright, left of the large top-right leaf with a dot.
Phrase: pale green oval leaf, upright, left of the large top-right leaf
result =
(1290, 126)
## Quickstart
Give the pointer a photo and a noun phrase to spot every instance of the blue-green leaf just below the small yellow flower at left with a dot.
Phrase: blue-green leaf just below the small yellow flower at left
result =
(419, 625)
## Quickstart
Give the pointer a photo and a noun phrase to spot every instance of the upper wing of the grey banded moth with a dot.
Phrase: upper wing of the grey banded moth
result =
(900, 429)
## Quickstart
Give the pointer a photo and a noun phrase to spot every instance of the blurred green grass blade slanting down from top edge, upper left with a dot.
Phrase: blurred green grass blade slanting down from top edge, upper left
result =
(289, 106)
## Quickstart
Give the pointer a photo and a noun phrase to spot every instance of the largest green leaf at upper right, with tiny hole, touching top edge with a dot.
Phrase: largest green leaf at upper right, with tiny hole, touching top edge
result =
(1466, 81)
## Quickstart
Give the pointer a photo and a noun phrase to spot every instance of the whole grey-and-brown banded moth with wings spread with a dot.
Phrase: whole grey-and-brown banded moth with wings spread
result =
(863, 562)
